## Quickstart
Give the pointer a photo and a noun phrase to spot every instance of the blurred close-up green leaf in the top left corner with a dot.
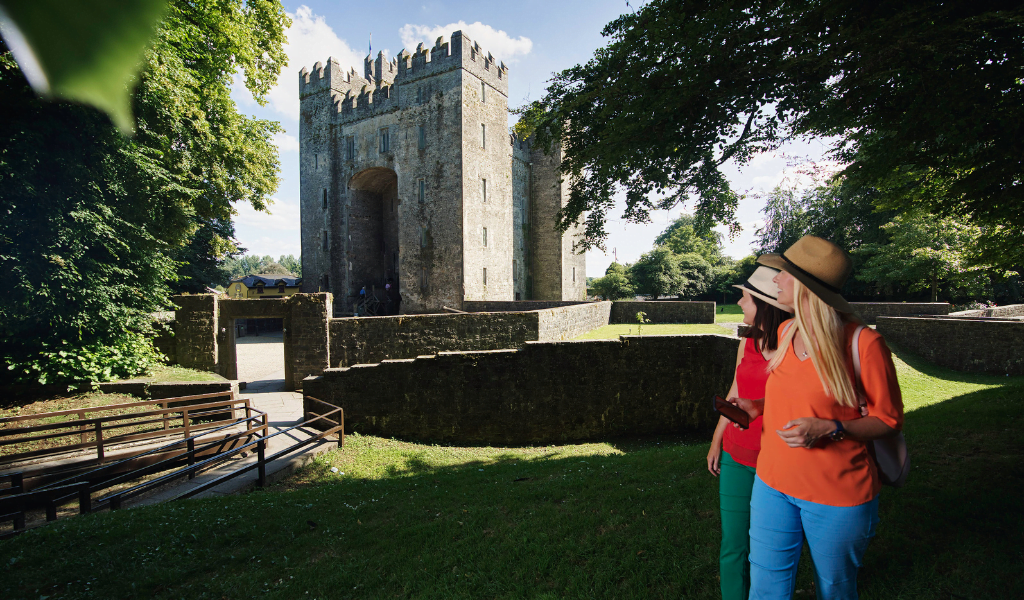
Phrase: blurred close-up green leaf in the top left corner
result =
(88, 52)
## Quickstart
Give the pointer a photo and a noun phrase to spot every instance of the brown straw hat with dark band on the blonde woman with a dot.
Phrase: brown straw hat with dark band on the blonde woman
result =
(821, 266)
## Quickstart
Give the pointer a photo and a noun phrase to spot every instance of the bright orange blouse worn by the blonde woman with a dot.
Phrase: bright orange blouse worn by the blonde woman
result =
(832, 474)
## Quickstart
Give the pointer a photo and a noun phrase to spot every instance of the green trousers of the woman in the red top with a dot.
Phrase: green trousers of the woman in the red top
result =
(735, 485)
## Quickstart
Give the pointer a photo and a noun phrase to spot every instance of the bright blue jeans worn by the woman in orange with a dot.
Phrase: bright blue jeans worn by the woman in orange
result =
(837, 536)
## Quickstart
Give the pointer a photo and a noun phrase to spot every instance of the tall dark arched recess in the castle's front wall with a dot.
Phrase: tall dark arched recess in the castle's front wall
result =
(373, 226)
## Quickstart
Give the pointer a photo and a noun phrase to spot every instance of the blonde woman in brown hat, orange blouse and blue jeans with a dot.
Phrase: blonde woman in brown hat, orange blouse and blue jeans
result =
(816, 477)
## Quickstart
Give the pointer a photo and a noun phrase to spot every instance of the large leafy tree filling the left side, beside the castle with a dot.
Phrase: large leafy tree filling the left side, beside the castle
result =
(95, 220)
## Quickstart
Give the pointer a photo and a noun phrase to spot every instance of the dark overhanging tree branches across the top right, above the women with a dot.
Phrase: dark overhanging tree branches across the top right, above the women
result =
(924, 100)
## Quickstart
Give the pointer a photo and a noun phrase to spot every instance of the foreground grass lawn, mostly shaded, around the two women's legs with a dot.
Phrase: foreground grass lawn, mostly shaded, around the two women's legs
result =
(612, 520)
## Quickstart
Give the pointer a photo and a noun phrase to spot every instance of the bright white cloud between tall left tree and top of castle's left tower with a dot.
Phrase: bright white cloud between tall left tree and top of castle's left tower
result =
(311, 40)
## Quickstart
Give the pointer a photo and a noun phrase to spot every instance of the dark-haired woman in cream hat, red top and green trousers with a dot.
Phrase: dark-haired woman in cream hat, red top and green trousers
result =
(735, 466)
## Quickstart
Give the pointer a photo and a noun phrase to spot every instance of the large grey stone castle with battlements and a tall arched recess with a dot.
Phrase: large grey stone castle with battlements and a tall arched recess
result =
(409, 174)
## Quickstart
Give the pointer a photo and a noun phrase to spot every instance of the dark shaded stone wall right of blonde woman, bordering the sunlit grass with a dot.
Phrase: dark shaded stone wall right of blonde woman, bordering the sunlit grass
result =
(977, 347)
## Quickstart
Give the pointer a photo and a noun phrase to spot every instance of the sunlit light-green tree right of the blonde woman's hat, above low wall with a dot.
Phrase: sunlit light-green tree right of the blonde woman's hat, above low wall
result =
(925, 252)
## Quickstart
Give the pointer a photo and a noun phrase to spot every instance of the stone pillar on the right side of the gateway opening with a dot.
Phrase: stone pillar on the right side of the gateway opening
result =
(307, 337)
